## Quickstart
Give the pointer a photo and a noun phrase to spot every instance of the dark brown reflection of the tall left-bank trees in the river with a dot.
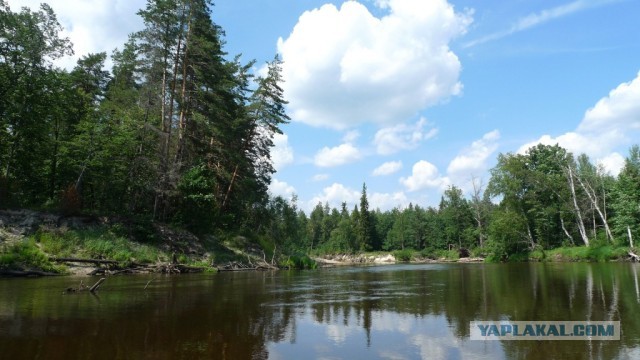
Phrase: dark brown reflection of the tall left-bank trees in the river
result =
(211, 318)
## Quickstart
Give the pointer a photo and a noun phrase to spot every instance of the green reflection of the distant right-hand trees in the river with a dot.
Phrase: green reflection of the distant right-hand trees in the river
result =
(563, 292)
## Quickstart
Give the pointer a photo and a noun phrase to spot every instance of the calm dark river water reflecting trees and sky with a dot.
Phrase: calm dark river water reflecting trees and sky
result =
(385, 312)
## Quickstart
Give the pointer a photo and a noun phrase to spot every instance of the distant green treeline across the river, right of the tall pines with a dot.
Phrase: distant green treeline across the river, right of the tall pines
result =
(547, 199)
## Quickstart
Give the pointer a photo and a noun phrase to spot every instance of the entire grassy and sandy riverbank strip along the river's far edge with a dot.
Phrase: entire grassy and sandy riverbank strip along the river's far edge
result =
(39, 243)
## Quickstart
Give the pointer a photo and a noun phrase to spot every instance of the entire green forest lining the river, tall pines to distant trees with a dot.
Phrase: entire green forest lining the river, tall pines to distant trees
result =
(177, 131)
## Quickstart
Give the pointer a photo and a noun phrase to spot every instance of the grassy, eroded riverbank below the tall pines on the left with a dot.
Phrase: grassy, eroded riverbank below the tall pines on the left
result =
(39, 243)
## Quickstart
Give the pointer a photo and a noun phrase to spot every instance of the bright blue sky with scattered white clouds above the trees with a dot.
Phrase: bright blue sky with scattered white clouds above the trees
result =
(411, 96)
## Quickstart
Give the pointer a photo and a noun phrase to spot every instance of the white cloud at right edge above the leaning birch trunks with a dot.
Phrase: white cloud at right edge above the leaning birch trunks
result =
(609, 127)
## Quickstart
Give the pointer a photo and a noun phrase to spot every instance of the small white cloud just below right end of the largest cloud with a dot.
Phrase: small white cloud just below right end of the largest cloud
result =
(401, 137)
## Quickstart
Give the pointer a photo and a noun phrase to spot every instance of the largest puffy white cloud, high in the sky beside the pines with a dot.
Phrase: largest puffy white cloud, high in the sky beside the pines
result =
(344, 67)
